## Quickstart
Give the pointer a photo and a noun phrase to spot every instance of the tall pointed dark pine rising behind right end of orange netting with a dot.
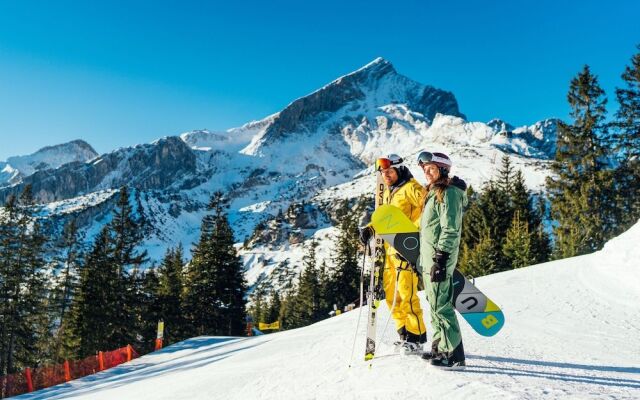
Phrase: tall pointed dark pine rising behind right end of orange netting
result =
(107, 312)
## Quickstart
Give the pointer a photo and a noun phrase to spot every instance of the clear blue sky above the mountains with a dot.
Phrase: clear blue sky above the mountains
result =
(119, 73)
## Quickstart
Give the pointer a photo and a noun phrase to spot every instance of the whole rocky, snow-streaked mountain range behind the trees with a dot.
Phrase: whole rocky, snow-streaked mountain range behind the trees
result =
(284, 173)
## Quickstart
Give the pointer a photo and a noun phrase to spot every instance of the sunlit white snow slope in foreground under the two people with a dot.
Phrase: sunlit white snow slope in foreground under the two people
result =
(572, 332)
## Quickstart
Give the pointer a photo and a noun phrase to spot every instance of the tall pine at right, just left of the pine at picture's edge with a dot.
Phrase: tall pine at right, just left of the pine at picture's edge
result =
(579, 192)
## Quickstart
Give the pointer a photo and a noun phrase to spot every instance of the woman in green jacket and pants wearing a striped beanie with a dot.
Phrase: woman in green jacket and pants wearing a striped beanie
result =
(440, 231)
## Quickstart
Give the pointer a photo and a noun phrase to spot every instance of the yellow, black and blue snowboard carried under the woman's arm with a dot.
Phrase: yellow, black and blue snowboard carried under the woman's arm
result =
(395, 228)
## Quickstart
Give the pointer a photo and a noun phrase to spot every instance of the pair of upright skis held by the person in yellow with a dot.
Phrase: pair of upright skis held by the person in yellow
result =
(374, 294)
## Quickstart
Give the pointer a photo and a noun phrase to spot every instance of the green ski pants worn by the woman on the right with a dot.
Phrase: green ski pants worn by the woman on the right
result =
(446, 330)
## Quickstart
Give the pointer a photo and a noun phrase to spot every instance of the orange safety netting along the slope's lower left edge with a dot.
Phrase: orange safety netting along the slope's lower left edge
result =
(43, 377)
